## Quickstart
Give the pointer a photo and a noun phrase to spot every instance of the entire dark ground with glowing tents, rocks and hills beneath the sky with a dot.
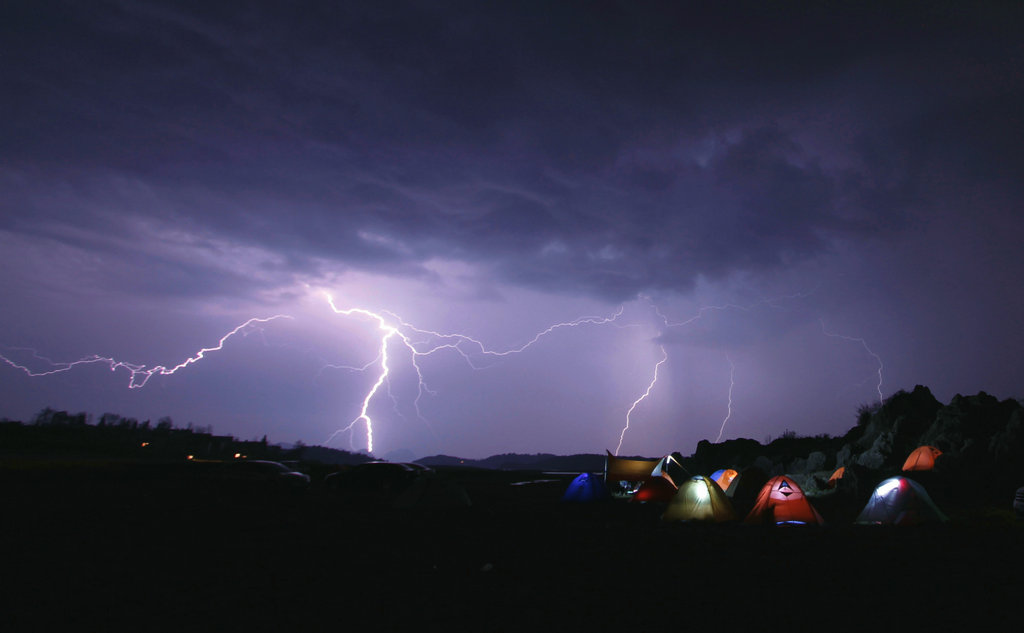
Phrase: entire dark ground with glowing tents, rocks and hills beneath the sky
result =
(803, 533)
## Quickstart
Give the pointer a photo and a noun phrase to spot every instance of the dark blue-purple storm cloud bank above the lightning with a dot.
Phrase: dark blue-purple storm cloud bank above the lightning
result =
(600, 149)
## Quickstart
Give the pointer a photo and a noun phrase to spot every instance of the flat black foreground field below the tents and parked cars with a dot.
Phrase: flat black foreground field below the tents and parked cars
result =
(99, 548)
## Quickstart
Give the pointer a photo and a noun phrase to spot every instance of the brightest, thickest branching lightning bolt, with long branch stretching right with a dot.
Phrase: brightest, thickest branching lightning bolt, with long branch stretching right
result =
(455, 343)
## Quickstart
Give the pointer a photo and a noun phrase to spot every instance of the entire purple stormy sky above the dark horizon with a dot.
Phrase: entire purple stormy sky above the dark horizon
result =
(796, 208)
